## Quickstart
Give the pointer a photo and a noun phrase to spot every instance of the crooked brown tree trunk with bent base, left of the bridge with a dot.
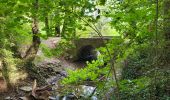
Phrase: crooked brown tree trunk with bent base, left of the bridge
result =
(33, 49)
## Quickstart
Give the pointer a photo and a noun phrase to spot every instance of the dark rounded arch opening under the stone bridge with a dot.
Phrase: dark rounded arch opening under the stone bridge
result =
(87, 53)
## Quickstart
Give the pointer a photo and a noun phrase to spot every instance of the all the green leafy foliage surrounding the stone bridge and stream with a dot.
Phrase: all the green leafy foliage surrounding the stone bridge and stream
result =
(138, 50)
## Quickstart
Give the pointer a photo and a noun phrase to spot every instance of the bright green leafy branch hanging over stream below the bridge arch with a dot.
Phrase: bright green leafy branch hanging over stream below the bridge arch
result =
(92, 72)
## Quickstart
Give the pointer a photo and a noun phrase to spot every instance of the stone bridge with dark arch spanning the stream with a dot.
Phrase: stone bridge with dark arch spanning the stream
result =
(86, 46)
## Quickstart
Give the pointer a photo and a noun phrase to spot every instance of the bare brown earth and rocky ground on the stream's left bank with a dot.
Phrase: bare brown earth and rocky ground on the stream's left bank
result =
(50, 69)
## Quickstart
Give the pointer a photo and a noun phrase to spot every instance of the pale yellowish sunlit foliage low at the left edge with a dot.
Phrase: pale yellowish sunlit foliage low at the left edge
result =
(11, 69)
